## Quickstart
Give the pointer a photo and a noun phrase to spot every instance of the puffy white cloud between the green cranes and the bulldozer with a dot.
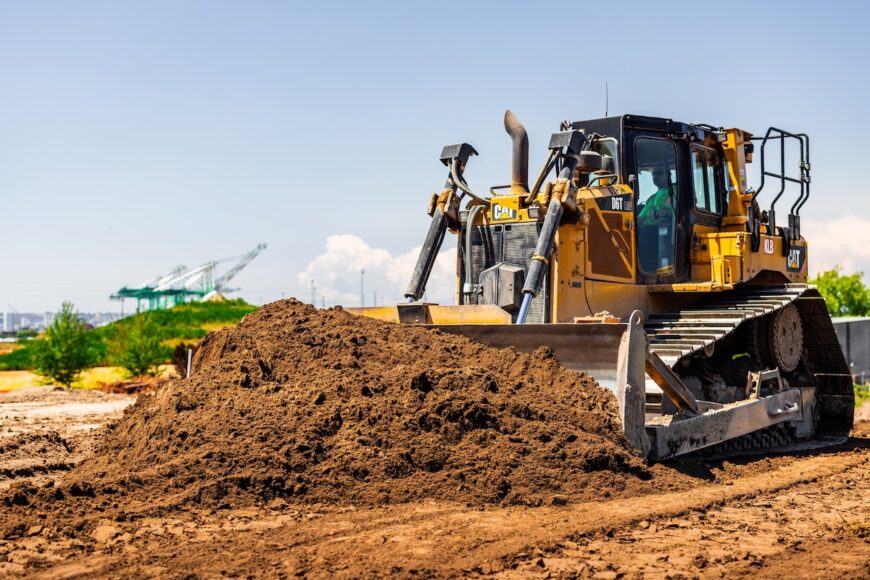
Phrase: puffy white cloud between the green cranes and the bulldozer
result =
(336, 273)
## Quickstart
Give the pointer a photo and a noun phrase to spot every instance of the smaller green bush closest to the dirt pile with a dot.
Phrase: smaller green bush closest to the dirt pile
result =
(136, 346)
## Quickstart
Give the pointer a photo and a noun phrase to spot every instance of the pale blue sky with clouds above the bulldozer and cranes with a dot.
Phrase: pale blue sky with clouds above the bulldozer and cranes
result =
(138, 136)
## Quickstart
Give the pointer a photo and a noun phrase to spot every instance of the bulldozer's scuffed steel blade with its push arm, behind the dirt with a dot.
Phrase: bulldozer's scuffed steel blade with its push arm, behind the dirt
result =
(617, 356)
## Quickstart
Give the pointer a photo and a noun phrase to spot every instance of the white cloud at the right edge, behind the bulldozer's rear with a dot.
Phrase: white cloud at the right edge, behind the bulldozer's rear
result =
(843, 242)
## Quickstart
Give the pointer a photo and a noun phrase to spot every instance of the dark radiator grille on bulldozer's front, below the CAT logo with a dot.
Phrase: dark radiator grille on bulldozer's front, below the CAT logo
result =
(512, 244)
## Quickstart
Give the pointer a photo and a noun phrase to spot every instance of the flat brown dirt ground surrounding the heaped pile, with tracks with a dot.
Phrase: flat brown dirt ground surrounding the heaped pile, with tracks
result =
(801, 515)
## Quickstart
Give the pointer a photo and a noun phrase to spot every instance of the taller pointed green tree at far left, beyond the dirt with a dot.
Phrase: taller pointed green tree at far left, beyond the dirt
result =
(67, 348)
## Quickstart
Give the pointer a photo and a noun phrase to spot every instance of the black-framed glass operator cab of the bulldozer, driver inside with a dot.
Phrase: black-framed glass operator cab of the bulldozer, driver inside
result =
(679, 177)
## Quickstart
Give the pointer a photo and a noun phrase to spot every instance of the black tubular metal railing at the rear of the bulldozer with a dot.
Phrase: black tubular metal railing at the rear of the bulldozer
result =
(793, 231)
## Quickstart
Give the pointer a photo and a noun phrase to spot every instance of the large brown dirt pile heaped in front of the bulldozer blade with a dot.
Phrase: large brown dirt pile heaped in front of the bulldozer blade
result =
(324, 406)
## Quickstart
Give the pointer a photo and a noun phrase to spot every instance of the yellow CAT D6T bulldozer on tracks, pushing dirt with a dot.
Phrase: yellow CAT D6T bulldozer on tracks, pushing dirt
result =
(641, 256)
